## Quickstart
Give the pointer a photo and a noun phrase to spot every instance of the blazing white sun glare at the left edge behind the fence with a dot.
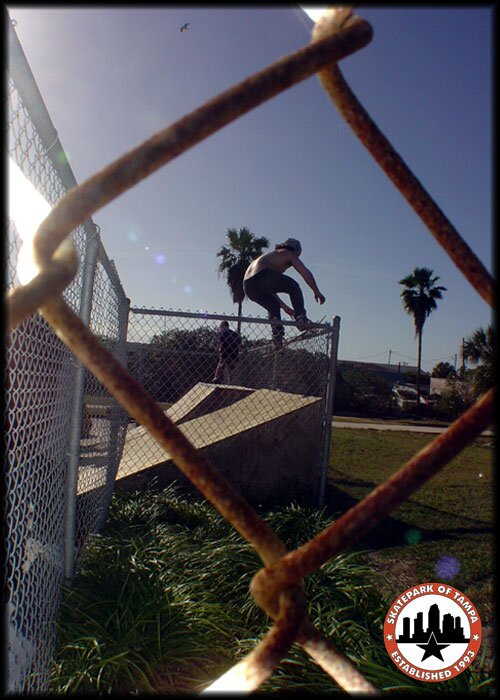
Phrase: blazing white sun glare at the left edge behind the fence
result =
(27, 209)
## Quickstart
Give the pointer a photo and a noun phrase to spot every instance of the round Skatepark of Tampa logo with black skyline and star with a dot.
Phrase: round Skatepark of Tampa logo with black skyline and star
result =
(432, 632)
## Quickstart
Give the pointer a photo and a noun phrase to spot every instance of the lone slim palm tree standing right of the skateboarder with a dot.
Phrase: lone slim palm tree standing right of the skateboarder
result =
(419, 300)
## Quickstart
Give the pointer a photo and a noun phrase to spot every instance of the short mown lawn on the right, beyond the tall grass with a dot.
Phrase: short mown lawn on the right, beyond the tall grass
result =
(451, 516)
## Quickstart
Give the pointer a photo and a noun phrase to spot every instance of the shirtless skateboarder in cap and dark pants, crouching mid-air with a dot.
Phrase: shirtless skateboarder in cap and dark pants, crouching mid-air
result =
(264, 278)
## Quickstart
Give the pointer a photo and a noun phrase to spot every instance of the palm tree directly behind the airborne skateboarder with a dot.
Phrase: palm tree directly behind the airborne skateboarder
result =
(243, 247)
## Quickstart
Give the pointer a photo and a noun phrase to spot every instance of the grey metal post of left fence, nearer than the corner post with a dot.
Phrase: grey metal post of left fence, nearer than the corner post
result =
(90, 261)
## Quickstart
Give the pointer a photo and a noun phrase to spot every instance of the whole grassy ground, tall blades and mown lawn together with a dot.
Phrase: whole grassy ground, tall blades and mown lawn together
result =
(161, 602)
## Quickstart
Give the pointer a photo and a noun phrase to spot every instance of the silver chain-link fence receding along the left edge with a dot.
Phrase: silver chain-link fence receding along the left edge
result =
(50, 400)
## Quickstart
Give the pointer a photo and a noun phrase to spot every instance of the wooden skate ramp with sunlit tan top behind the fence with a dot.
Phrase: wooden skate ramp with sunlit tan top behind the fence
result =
(261, 440)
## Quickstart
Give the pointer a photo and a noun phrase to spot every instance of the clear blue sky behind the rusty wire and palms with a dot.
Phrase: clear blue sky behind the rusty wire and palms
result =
(112, 76)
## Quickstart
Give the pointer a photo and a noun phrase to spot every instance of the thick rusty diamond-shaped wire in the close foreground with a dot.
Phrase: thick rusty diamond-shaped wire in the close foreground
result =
(277, 587)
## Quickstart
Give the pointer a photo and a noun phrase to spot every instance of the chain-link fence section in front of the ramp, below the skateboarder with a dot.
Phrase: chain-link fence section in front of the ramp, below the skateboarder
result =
(266, 414)
